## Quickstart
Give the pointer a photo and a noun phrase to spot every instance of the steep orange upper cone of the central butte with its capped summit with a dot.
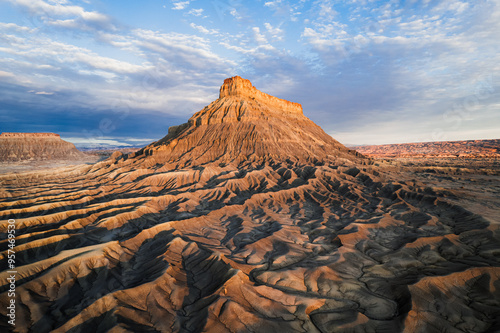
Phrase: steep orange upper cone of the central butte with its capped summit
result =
(246, 125)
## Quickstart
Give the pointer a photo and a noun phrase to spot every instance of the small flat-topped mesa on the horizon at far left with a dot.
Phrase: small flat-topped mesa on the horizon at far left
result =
(16, 147)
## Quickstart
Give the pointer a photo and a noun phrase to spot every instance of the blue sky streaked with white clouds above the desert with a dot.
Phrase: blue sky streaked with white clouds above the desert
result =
(119, 73)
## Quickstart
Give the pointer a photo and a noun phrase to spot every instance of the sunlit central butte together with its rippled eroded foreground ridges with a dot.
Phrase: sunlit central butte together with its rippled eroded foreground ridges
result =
(248, 218)
